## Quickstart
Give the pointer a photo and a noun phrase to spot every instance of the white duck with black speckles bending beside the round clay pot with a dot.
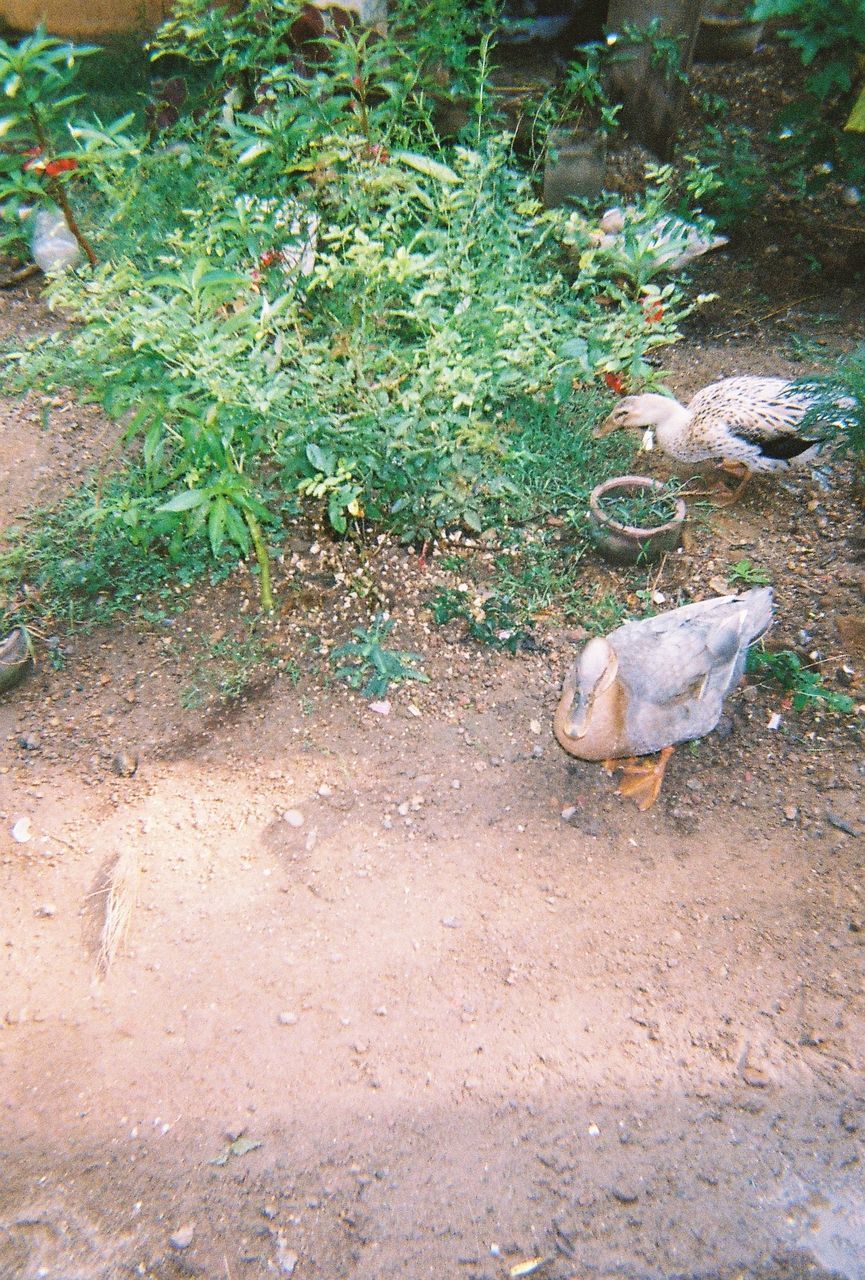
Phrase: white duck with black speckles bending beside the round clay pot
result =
(744, 424)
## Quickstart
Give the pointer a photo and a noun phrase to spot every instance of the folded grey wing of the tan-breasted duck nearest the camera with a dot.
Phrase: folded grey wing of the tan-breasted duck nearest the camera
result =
(679, 668)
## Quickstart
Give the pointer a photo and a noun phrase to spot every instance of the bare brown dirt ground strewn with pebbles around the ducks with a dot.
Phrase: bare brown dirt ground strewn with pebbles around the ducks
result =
(382, 1011)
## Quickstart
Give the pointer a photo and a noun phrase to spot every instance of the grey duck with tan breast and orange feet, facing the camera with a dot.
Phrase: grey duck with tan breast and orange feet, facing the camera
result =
(653, 684)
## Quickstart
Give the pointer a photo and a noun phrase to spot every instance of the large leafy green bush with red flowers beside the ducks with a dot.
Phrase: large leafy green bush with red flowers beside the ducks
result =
(303, 299)
